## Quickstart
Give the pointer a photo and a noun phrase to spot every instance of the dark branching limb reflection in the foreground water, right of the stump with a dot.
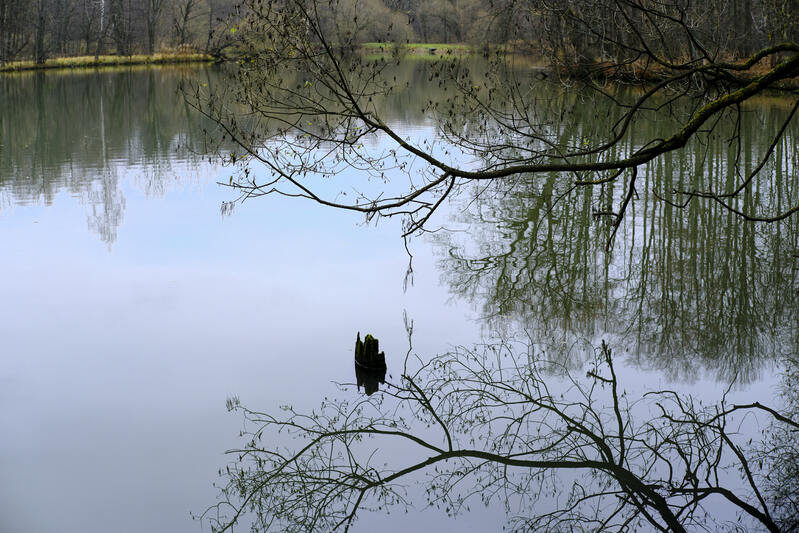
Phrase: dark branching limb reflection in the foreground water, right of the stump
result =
(502, 422)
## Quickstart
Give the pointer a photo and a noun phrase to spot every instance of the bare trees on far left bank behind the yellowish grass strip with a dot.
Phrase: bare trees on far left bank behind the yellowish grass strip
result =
(39, 29)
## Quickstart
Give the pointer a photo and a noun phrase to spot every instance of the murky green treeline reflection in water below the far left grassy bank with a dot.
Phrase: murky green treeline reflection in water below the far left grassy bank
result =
(82, 132)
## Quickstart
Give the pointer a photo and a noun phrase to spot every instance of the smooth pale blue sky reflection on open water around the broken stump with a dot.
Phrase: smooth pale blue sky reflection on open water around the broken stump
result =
(118, 355)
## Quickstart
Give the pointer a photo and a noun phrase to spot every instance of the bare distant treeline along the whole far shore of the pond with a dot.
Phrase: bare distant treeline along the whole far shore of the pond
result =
(38, 29)
